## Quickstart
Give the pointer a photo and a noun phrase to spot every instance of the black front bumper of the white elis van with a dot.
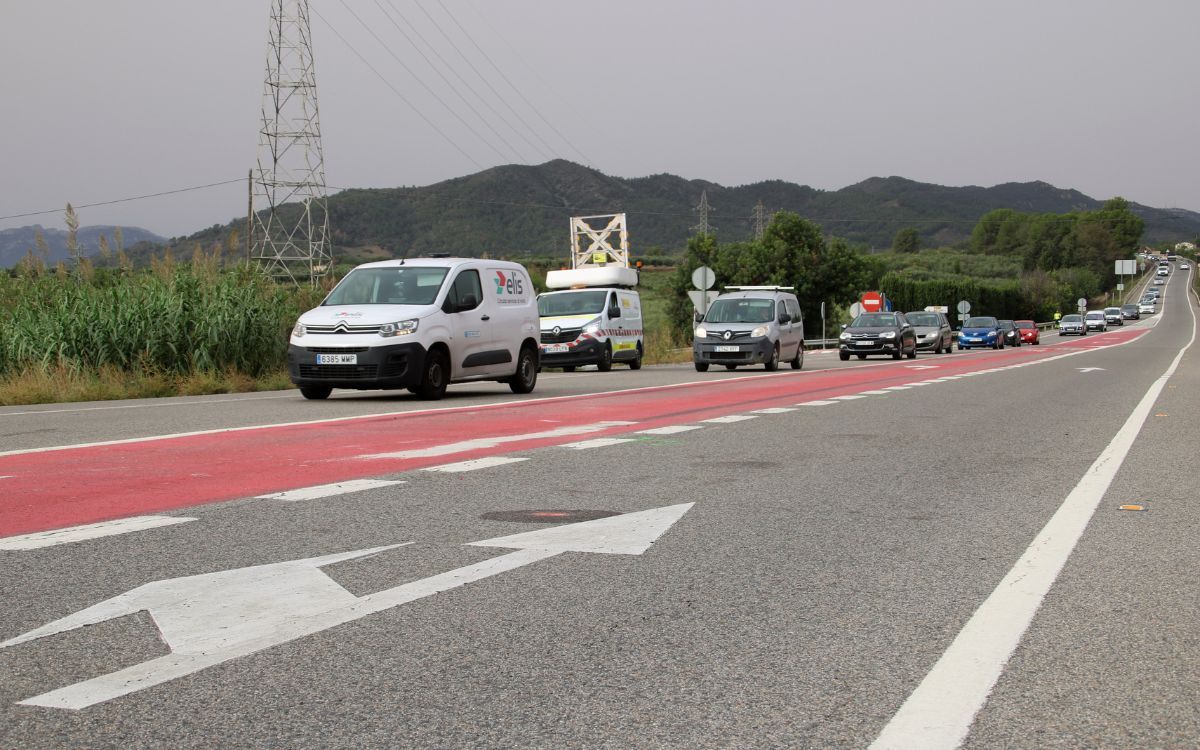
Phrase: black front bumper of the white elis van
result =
(375, 368)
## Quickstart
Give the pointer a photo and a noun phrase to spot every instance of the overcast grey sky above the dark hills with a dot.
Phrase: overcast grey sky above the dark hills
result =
(111, 99)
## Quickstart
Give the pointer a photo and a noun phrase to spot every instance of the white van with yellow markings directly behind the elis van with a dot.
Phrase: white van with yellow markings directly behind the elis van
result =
(593, 326)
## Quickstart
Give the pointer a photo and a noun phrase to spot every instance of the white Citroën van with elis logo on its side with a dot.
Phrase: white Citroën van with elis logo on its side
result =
(422, 325)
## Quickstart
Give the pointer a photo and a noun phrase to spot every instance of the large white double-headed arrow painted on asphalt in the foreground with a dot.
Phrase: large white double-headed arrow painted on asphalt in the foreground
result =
(215, 617)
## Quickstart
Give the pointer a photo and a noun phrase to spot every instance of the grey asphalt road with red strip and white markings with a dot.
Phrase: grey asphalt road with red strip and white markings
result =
(833, 555)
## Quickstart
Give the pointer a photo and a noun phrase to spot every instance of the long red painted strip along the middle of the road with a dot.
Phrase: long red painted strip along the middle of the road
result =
(71, 487)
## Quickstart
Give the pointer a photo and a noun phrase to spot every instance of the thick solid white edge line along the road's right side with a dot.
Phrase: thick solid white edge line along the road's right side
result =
(940, 713)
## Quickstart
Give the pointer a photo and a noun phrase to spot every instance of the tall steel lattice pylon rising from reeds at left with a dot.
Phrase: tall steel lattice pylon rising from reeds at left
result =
(290, 214)
